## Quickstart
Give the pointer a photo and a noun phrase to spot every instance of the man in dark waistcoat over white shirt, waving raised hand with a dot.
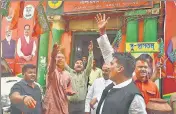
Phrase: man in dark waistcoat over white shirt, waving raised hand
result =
(122, 96)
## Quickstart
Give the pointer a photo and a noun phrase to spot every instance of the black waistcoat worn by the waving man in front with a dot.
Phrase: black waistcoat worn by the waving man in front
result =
(117, 100)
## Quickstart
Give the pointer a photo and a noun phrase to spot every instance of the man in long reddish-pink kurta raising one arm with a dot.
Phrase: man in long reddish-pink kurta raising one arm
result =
(58, 85)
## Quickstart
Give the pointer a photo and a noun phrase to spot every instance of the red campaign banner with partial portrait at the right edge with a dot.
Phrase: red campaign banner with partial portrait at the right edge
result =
(170, 46)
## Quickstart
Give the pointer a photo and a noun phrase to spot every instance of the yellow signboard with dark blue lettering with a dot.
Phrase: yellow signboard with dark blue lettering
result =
(142, 47)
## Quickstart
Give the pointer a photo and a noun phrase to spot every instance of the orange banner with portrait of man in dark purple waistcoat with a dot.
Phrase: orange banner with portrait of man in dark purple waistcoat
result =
(9, 37)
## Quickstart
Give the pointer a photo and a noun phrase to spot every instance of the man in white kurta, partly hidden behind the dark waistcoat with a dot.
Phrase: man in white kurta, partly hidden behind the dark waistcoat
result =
(96, 89)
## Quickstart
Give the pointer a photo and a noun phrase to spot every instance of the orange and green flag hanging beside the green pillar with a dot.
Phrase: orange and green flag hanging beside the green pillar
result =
(41, 22)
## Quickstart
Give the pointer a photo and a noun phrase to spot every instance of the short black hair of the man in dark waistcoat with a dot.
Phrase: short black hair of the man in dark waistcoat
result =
(127, 61)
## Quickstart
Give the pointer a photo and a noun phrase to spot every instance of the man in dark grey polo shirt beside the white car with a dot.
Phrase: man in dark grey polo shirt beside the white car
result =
(26, 96)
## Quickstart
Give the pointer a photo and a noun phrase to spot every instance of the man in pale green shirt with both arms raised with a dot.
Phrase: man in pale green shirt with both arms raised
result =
(79, 78)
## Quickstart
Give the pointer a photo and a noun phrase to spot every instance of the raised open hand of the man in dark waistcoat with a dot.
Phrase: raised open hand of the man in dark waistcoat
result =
(101, 22)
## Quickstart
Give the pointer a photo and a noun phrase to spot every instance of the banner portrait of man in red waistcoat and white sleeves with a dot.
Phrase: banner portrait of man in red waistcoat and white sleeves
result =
(26, 46)
